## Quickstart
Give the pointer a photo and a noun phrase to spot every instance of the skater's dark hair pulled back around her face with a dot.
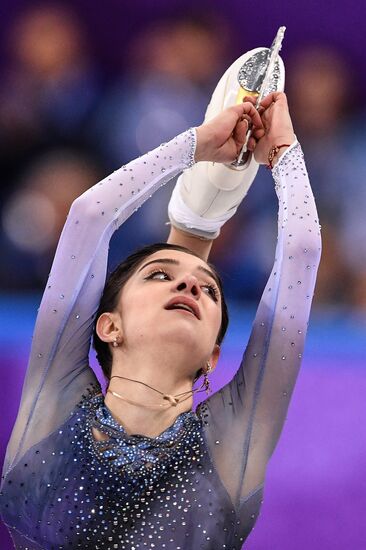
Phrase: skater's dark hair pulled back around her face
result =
(116, 282)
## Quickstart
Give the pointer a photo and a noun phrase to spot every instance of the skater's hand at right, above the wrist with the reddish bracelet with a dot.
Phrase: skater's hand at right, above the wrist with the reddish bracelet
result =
(278, 129)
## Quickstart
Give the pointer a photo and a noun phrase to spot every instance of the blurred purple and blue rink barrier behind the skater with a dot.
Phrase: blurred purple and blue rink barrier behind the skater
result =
(315, 492)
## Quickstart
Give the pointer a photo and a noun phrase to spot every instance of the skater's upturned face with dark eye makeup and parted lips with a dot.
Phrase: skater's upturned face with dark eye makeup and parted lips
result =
(172, 299)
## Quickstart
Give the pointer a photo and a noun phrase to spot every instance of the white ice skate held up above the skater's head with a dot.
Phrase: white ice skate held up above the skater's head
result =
(208, 194)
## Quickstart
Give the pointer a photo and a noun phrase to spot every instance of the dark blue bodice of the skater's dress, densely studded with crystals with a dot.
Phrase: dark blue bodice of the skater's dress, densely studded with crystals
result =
(128, 492)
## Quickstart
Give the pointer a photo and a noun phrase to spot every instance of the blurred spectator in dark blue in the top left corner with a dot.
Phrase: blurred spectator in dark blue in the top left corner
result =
(48, 90)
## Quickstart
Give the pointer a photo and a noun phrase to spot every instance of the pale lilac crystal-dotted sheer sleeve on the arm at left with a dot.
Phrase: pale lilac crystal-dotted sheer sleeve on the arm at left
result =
(58, 371)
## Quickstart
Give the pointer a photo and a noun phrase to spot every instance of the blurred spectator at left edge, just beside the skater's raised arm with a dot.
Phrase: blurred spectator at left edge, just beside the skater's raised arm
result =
(33, 216)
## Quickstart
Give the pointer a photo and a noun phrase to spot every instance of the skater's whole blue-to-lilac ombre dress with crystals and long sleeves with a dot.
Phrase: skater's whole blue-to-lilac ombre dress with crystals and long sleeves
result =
(199, 484)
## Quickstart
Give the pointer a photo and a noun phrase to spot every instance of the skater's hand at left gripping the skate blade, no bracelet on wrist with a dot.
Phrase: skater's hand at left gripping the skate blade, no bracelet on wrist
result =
(221, 139)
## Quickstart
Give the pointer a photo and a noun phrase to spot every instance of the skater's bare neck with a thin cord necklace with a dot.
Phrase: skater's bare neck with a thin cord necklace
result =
(166, 376)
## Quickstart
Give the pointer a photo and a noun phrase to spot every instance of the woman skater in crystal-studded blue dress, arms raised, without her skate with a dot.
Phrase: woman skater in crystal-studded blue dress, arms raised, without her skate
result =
(138, 468)
